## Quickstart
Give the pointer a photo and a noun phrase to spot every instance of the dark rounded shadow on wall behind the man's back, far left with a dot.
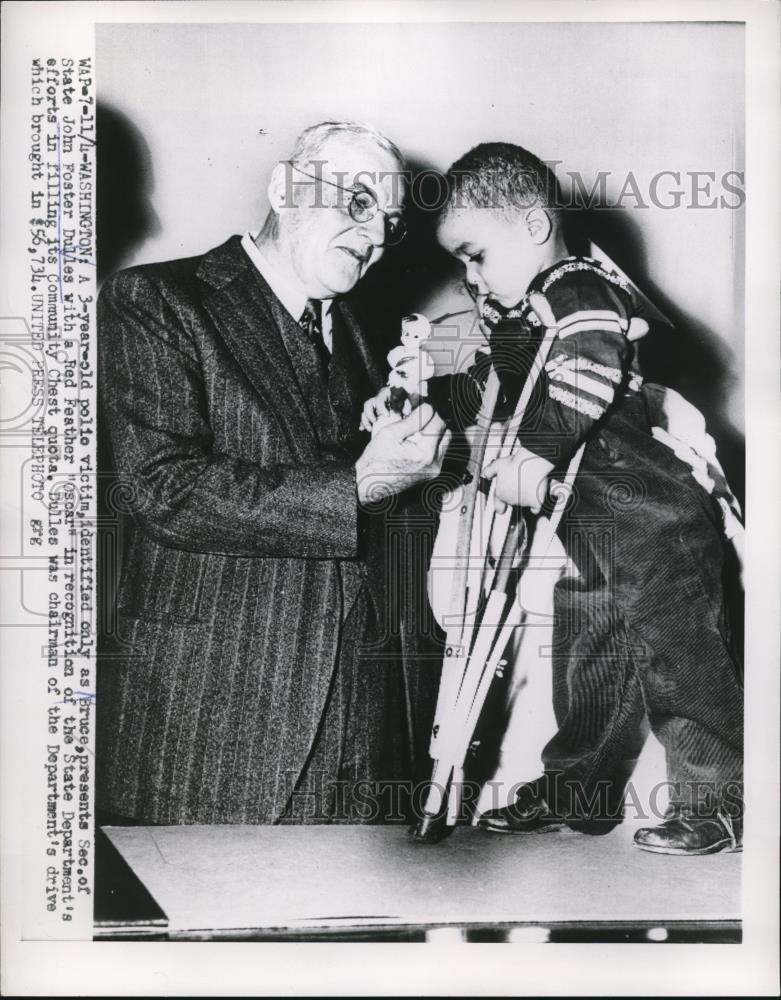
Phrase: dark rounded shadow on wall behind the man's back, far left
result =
(125, 216)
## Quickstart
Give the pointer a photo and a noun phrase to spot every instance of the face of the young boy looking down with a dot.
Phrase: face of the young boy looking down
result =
(501, 256)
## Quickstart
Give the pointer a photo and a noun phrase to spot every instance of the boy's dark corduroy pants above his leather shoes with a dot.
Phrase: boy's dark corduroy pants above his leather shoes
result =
(645, 631)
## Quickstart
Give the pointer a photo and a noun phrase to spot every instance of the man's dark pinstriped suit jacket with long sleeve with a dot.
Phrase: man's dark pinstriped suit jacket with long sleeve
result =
(246, 549)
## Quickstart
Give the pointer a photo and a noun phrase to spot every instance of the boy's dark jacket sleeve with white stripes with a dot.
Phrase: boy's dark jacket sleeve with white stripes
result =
(587, 365)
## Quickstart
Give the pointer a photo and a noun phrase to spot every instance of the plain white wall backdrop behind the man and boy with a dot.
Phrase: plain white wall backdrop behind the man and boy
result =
(217, 105)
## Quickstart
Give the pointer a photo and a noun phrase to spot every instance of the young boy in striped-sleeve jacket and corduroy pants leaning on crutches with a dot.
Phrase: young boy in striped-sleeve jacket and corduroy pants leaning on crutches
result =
(643, 629)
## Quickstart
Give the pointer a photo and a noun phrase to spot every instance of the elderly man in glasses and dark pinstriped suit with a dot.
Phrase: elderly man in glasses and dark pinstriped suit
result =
(247, 682)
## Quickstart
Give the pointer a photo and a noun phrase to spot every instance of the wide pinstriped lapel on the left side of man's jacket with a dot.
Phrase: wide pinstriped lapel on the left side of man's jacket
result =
(242, 307)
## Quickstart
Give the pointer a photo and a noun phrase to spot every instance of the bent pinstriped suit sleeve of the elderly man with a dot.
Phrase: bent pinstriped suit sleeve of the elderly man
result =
(188, 494)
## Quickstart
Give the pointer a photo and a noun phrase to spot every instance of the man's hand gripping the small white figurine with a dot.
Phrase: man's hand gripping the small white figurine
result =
(401, 455)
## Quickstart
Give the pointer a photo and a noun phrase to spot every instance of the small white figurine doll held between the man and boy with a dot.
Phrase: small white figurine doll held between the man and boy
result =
(411, 367)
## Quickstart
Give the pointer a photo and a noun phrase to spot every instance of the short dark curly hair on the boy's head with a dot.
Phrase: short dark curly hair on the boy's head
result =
(502, 177)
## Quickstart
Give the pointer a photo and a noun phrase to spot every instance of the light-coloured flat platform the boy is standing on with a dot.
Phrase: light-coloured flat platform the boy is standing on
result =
(246, 880)
